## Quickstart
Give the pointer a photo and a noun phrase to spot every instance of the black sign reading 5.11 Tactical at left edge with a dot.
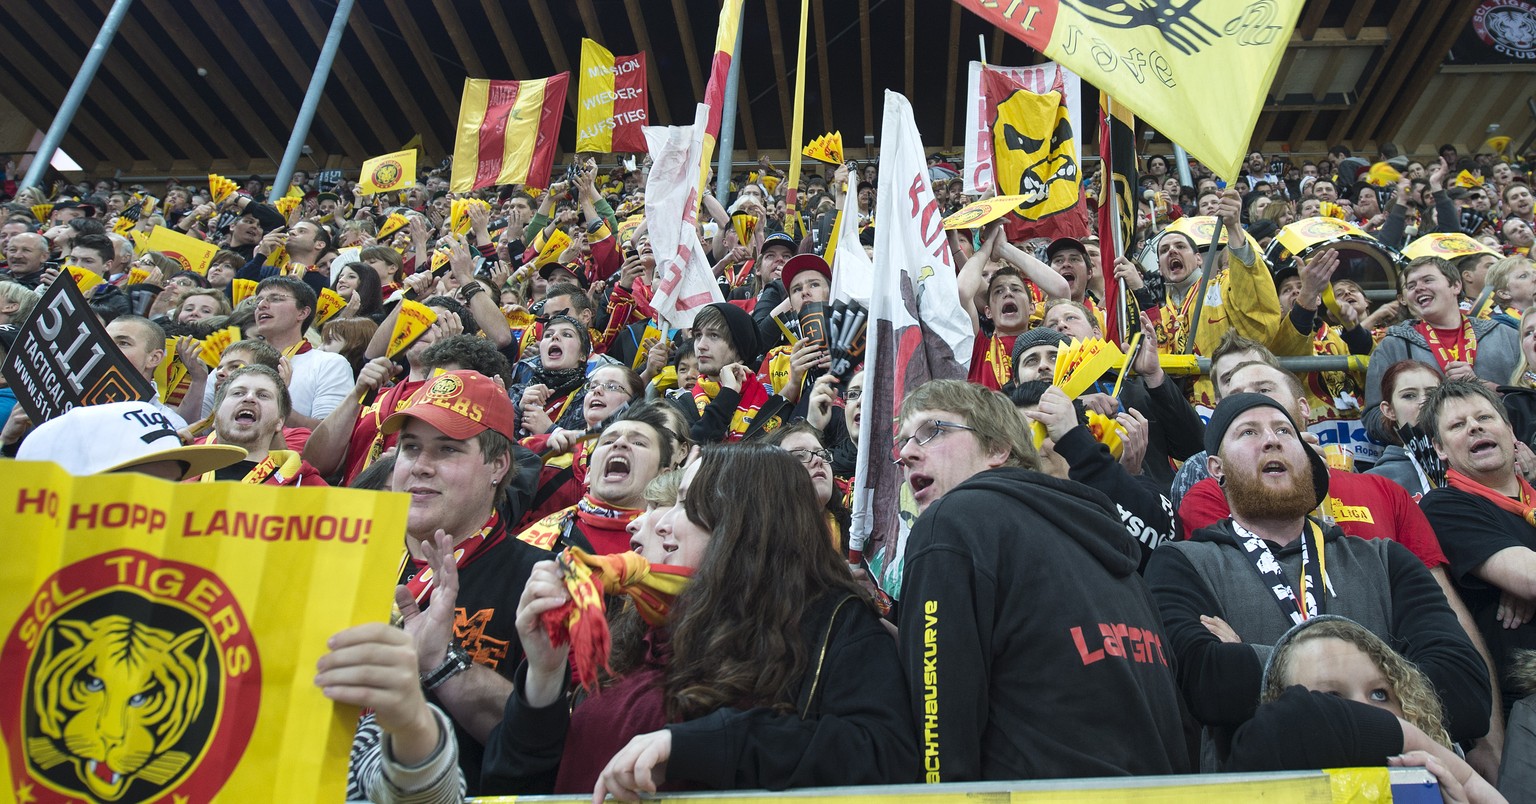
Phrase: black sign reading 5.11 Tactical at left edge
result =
(64, 359)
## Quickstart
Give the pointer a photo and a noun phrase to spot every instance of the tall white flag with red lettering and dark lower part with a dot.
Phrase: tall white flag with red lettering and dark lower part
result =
(918, 333)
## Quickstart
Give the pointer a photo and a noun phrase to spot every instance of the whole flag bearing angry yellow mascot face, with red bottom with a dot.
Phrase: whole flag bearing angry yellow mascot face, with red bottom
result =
(1034, 158)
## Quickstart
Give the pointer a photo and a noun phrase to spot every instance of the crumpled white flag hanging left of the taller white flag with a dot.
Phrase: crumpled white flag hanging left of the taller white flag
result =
(684, 281)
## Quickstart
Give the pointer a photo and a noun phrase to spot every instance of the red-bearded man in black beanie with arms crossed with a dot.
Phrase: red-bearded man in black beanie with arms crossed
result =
(1240, 585)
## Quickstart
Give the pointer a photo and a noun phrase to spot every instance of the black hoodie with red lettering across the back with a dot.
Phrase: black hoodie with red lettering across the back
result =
(1031, 646)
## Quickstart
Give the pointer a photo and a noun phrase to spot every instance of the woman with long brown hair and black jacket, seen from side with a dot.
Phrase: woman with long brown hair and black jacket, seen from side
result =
(772, 669)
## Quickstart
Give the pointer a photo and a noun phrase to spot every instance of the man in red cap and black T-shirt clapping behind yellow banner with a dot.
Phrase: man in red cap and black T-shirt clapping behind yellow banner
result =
(455, 462)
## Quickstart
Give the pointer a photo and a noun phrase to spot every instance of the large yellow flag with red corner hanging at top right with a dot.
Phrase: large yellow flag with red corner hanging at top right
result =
(1196, 70)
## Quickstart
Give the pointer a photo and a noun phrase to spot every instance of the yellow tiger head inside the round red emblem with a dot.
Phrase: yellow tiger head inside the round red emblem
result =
(114, 697)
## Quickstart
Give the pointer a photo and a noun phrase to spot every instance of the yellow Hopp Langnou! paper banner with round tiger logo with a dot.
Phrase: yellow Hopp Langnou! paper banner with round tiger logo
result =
(161, 639)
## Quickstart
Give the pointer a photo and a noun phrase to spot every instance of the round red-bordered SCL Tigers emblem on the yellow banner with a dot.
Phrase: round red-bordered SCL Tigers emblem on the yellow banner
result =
(130, 679)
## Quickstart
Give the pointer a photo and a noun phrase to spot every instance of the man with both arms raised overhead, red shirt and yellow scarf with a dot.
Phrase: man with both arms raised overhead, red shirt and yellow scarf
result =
(1010, 305)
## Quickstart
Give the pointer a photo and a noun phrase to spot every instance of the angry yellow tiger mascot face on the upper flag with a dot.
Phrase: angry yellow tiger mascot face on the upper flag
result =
(1033, 141)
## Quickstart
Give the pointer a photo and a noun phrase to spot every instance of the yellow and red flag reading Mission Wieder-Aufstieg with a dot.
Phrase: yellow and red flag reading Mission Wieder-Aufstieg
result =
(612, 101)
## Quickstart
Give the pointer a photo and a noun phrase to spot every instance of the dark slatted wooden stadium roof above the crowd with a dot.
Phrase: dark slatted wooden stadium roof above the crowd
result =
(193, 87)
